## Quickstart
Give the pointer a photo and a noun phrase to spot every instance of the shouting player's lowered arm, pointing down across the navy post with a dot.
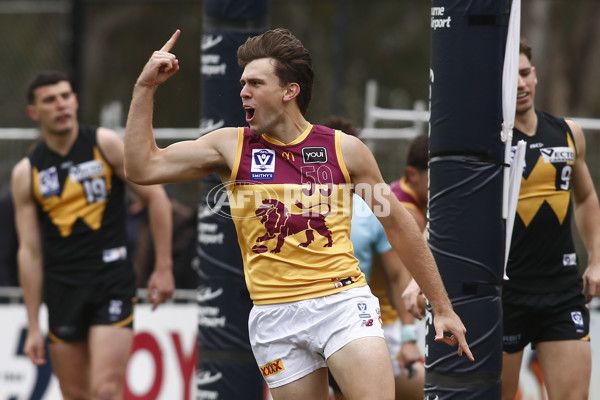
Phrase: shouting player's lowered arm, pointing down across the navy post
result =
(406, 238)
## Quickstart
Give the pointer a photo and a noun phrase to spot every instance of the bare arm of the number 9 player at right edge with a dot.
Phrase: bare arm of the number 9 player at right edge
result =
(587, 213)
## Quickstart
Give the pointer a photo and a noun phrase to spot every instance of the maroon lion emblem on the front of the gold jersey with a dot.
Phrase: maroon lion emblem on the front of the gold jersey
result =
(281, 223)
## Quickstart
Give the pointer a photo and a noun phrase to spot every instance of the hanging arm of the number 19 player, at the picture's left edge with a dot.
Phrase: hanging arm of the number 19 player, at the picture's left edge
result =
(31, 273)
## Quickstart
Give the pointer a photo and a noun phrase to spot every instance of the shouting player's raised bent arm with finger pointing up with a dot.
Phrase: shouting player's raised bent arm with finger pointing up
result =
(145, 162)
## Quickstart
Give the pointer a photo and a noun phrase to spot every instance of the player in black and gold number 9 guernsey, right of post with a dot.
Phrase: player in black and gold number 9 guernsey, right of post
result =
(544, 295)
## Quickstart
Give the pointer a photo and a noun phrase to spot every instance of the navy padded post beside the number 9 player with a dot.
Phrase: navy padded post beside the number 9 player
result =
(466, 229)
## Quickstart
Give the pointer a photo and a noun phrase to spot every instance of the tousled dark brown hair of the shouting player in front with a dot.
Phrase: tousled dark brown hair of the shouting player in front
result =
(293, 63)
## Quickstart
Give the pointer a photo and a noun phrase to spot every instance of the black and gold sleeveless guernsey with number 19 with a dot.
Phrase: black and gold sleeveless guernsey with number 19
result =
(81, 205)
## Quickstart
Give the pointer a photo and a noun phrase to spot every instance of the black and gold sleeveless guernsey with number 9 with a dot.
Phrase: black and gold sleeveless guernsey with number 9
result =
(542, 256)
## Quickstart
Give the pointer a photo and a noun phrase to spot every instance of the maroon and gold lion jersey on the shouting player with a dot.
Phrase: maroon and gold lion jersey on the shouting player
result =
(292, 205)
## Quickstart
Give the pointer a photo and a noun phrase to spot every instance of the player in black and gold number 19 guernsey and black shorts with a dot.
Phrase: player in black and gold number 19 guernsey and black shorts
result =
(70, 212)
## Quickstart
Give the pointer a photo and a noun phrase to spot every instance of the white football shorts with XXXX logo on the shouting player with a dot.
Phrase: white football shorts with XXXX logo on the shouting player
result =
(291, 340)
